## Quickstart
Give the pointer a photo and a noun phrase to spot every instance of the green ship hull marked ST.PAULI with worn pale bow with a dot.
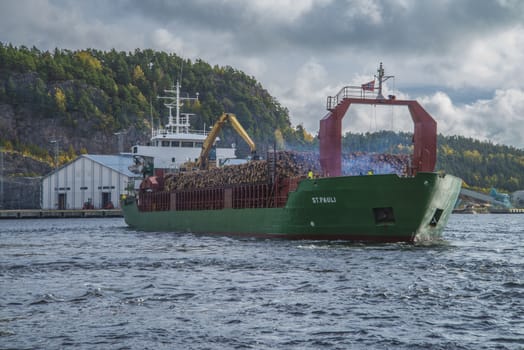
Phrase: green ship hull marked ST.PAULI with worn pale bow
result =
(380, 208)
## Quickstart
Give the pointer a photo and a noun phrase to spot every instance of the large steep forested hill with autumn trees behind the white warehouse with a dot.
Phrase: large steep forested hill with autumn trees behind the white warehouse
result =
(83, 97)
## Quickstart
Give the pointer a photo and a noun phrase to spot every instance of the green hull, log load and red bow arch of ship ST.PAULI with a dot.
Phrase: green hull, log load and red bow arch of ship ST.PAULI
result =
(291, 195)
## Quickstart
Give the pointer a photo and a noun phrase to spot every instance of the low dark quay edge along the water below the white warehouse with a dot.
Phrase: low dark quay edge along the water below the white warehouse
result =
(57, 214)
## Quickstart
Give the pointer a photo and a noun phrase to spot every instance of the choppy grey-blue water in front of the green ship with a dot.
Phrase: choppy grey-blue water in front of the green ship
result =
(95, 284)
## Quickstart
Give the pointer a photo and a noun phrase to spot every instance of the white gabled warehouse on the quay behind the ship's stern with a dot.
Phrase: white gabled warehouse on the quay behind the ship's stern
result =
(89, 181)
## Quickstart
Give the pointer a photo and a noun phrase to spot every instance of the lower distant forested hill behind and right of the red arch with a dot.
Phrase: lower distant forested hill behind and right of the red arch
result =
(481, 165)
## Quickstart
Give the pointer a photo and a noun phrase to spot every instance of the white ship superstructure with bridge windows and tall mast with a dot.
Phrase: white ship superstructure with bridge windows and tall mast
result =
(173, 145)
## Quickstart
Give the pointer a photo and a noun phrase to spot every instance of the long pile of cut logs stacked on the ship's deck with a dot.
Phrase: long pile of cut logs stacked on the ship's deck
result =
(286, 164)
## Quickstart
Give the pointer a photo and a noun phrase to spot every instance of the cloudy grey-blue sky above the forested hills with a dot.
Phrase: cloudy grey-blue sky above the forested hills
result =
(461, 59)
